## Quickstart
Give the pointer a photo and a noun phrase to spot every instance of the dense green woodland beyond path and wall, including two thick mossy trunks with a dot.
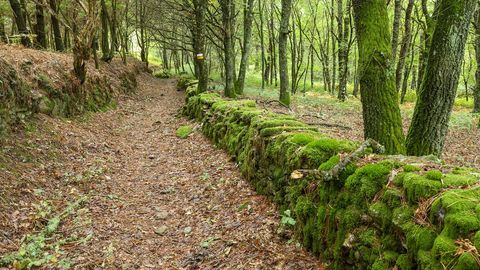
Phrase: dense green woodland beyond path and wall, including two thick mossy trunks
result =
(379, 51)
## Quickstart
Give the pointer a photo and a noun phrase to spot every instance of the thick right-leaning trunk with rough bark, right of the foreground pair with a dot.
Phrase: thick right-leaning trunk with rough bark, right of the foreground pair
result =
(429, 126)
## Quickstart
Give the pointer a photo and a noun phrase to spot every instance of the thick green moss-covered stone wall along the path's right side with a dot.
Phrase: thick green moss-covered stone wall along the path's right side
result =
(378, 213)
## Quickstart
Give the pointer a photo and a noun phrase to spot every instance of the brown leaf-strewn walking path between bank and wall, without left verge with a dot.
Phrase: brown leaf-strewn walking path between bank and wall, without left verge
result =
(170, 203)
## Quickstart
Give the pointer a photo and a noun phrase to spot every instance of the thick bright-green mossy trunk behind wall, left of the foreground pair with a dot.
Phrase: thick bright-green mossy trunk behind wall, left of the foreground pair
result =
(381, 112)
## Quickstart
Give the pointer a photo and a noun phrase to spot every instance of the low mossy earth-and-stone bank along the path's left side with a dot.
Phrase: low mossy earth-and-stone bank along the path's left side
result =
(21, 97)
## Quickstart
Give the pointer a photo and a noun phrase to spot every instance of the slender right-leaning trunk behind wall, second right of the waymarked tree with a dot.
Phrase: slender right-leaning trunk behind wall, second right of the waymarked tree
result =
(247, 34)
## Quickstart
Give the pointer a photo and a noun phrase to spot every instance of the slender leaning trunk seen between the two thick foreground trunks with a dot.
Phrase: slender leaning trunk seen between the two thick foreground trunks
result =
(405, 48)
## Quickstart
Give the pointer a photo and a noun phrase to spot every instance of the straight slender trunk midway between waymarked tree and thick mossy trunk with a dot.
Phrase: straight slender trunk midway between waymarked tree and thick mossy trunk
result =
(282, 51)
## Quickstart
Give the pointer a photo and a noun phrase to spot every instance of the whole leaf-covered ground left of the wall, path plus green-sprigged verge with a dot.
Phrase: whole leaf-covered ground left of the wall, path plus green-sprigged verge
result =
(140, 198)
